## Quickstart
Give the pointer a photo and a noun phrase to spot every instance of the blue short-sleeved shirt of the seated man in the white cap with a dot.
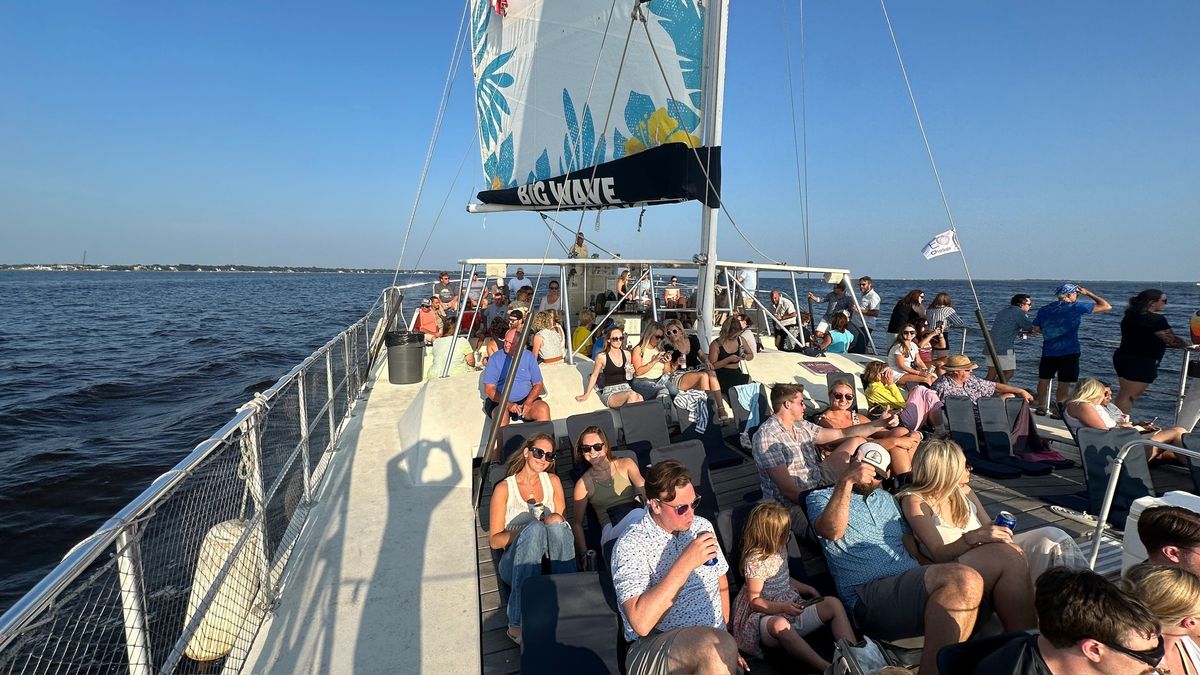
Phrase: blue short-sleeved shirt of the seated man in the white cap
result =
(872, 548)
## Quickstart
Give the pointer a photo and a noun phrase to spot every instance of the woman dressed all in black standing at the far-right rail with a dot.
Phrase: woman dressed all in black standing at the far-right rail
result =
(1145, 337)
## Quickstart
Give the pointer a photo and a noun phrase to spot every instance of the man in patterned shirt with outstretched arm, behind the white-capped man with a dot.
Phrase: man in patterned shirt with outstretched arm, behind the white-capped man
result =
(785, 449)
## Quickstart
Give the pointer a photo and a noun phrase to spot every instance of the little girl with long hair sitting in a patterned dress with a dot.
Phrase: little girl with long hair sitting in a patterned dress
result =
(772, 607)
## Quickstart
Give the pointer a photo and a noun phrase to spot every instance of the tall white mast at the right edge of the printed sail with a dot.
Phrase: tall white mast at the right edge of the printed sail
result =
(716, 35)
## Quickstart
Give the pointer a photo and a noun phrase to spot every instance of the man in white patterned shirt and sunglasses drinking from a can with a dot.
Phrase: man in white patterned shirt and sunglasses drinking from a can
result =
(671, 588)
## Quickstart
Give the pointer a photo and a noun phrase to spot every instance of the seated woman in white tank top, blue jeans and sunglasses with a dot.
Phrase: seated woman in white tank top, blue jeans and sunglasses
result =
(527, 522)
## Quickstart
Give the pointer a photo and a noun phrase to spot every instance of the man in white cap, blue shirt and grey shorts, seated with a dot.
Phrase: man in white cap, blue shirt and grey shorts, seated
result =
(893, 596)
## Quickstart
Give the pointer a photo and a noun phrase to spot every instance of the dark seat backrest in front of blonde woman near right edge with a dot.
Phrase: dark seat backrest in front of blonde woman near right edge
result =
(1099, 449)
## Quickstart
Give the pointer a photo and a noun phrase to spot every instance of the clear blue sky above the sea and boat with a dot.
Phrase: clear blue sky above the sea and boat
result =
(293, 134)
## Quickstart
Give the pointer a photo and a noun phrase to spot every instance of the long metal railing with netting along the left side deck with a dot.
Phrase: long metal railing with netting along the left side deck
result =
(182, 578)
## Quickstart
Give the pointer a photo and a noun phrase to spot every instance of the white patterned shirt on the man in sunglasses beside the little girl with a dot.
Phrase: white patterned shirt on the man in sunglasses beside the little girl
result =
(644, 558)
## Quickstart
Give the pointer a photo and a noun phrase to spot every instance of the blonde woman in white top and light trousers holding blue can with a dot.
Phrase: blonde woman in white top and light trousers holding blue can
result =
(949, 519)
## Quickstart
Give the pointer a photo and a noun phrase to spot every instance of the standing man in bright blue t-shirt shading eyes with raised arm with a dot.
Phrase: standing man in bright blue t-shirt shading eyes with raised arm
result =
(1059, 322)
